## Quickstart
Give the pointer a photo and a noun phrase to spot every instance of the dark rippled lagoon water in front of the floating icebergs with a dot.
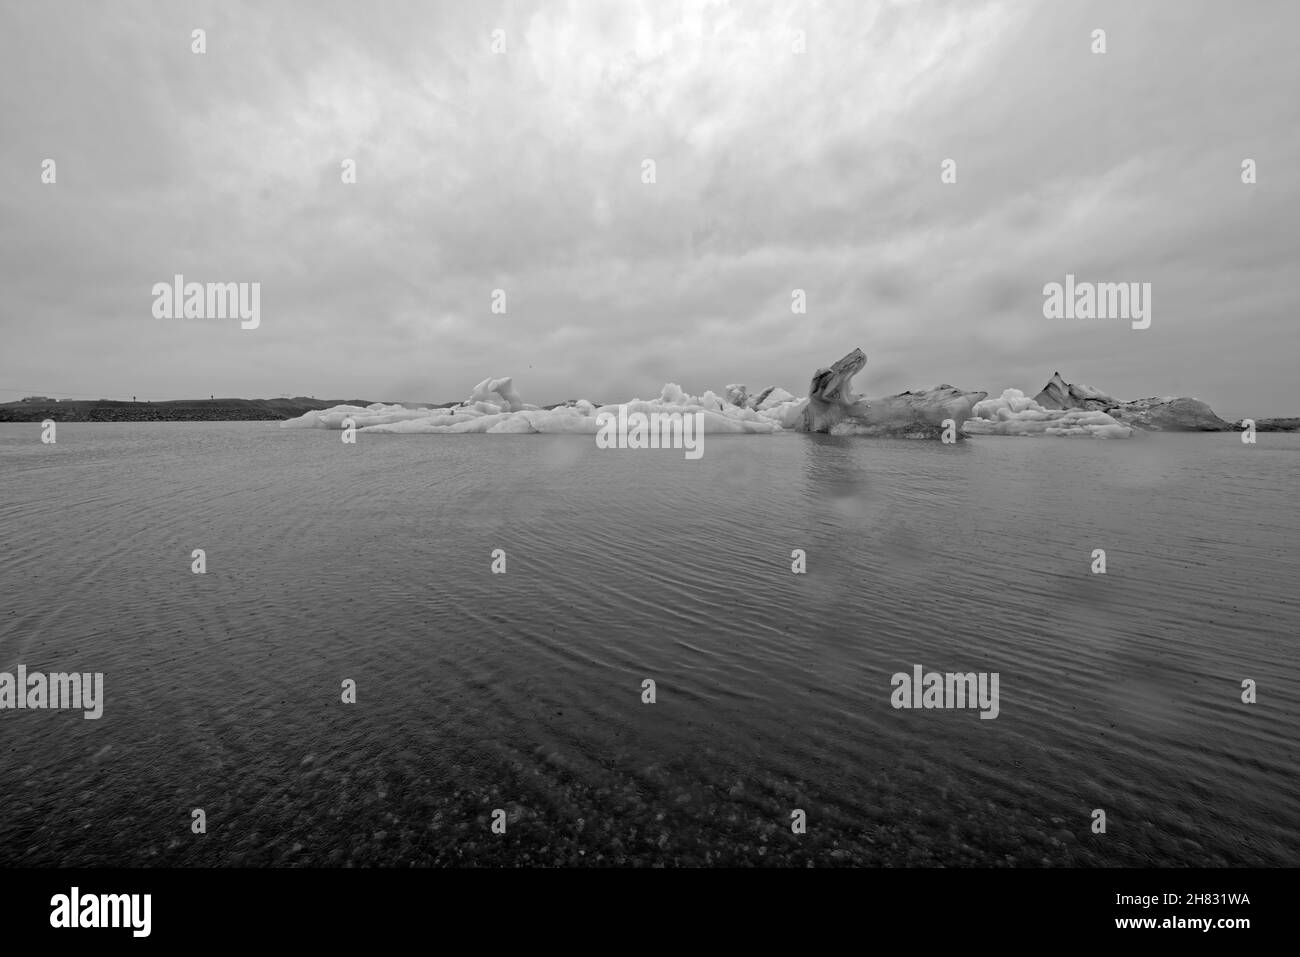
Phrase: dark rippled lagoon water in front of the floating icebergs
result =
(523, 691)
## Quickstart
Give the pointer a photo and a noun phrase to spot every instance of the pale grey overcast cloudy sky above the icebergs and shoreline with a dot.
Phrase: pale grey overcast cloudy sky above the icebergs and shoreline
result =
(523, 171)
